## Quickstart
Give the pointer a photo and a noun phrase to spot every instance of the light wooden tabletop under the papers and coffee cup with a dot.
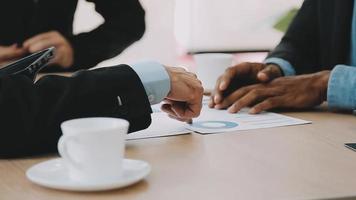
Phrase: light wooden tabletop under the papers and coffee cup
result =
(297, 162)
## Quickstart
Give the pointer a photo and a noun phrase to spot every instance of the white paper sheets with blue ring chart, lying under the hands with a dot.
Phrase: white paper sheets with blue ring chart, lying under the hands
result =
(213, 121)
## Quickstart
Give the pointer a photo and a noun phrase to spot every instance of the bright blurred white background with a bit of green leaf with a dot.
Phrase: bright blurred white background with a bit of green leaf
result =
(175, 29)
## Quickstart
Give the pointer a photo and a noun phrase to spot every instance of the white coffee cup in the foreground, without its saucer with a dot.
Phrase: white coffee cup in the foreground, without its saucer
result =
(93, 148)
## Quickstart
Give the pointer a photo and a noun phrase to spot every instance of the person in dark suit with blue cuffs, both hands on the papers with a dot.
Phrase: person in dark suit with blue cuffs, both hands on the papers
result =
(314, 62)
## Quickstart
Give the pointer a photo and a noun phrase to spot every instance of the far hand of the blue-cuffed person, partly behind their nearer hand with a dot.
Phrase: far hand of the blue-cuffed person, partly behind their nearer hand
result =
(241, 75)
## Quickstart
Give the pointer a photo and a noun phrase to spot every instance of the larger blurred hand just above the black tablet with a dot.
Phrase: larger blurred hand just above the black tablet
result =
(64, 55)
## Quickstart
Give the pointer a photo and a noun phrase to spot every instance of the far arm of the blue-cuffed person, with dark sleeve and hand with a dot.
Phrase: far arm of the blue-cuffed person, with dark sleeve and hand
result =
(294, 55)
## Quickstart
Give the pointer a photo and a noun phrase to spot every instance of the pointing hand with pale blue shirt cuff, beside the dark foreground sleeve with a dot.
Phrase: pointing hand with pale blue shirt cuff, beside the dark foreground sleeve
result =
(181, 91)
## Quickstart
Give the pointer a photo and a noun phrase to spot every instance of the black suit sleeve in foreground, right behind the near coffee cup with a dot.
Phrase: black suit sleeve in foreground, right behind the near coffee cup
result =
(30, 114)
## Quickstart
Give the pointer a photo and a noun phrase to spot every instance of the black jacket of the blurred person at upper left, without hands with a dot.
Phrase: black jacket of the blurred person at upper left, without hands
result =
(124, 24)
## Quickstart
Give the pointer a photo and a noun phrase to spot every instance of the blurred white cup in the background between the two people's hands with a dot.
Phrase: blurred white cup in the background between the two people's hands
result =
(209, 66)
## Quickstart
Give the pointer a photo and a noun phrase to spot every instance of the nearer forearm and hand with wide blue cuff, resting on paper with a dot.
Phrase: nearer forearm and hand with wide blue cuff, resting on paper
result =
(303, 91)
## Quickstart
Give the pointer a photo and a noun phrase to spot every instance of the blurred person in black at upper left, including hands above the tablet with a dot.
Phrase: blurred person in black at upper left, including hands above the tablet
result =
(29, 26)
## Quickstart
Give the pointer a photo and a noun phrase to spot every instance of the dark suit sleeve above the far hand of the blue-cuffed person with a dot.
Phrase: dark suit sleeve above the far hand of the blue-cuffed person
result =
(299, 45)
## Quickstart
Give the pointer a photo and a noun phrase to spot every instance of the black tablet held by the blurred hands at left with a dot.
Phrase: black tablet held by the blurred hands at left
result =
(29, 65)
